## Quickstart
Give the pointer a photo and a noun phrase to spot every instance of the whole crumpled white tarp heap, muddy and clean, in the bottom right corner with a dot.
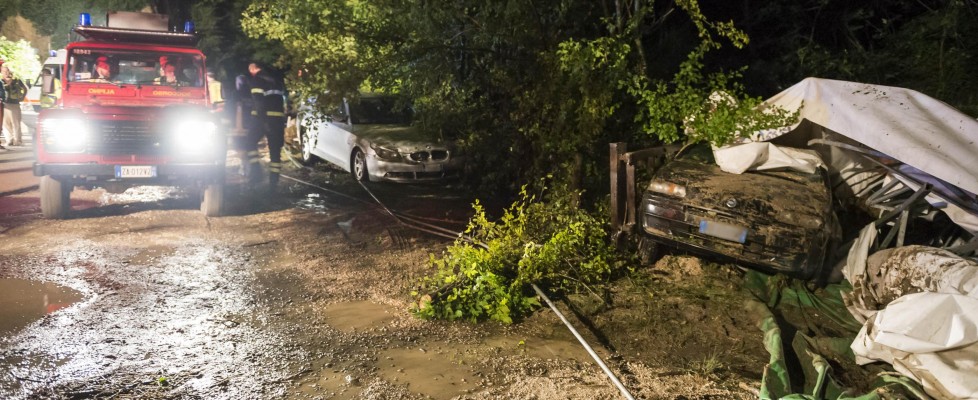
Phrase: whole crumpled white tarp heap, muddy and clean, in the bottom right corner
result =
(919, 308)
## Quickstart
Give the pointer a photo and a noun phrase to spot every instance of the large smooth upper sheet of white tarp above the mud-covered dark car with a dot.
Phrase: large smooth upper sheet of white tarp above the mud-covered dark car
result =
(901, 123)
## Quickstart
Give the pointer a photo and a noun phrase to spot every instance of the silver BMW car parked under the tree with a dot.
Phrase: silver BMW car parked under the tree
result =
(375, 138)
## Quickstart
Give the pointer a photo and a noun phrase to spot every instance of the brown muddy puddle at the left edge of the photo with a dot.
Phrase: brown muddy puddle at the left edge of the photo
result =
(23, 302)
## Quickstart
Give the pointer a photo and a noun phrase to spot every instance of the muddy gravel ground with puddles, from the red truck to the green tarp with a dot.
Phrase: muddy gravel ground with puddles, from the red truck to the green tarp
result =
(304, 295)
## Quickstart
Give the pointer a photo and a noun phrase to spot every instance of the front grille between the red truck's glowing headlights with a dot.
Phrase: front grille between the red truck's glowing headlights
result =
(125, 137)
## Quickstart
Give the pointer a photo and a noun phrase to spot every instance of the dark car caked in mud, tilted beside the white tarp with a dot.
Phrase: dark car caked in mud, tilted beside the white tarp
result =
(779, 221)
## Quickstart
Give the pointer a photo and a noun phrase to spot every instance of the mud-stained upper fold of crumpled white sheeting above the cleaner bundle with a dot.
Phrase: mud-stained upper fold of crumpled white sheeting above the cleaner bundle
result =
(888, 274)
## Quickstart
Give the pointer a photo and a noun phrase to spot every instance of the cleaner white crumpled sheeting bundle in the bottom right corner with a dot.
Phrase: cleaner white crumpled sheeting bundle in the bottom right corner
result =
(930, 337)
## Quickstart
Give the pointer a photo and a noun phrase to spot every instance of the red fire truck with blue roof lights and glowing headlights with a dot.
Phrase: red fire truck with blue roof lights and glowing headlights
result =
(134, 110)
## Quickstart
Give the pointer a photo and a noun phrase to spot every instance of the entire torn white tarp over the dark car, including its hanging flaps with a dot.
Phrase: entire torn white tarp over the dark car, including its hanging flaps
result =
(924, 133)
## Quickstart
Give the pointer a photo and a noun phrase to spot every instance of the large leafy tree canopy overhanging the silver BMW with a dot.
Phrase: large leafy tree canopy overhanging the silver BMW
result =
(529, 89)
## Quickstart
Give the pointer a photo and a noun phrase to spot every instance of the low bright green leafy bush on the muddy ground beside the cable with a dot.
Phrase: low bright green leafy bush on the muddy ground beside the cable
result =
(487, 275)
